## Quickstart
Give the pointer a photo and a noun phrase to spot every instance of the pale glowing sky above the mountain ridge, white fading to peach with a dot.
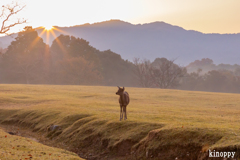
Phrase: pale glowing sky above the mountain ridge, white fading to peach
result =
(207, 16)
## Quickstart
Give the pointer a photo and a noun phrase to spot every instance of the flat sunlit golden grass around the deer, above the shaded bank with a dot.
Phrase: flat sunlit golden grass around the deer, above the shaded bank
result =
(174, 107)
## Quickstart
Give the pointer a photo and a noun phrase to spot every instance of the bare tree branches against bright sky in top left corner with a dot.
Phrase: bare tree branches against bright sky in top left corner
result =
(7, 15)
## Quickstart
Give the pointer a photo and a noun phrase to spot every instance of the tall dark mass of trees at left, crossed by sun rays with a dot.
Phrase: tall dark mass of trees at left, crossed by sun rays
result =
(69, 60)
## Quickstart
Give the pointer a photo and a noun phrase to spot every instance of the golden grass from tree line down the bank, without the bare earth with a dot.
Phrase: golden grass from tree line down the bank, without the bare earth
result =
(94, 108)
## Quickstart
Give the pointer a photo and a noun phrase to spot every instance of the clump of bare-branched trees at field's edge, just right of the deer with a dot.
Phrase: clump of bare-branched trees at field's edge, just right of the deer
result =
(161, 73)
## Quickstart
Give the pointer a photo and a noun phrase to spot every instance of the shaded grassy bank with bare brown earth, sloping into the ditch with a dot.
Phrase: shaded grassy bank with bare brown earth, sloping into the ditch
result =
(97, 139)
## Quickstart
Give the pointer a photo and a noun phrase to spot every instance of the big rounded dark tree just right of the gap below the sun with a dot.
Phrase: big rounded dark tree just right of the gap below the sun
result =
(74, 54)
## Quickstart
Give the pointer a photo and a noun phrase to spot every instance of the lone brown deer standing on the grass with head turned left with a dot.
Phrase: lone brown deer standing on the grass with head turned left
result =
(123, 101)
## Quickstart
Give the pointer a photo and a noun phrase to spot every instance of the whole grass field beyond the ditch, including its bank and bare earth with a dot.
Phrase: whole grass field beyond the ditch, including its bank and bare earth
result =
(161, 123)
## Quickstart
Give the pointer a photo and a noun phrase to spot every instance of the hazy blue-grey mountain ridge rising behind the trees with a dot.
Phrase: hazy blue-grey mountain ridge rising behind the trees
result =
(152, 40)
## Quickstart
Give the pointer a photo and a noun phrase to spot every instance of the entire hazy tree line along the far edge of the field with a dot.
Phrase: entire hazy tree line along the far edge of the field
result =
(73, 61)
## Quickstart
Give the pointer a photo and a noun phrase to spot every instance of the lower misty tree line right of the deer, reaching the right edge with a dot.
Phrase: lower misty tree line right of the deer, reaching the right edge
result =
(164, 73)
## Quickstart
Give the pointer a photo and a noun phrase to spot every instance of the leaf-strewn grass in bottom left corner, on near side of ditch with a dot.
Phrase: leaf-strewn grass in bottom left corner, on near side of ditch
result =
(15, 147)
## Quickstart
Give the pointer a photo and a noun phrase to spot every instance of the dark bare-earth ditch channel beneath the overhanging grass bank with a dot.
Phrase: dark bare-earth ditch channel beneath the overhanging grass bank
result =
(154, 146)
